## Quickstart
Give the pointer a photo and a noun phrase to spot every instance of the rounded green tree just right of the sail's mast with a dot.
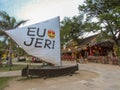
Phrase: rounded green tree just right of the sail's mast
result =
(71, 29)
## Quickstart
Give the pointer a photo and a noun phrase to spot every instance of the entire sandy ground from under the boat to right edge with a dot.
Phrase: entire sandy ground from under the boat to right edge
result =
(91, 76)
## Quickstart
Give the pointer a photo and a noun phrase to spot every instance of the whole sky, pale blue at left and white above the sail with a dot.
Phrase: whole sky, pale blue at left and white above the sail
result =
(39, 10)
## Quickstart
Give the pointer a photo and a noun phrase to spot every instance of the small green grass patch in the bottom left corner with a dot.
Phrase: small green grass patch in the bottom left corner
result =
(4, 82)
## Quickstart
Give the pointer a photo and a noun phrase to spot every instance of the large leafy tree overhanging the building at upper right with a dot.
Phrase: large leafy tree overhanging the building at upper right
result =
(107, 13)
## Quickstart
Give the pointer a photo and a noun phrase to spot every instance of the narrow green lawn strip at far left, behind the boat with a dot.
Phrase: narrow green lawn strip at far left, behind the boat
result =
(4, 68)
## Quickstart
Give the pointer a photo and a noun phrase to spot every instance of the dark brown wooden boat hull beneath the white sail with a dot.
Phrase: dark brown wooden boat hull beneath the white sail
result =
(49, 71)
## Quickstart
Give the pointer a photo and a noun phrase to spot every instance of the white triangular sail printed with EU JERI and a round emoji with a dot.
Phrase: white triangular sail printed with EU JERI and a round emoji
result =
(41, 40)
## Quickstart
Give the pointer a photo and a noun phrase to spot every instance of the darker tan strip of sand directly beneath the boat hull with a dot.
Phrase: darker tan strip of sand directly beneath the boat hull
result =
(54, 83)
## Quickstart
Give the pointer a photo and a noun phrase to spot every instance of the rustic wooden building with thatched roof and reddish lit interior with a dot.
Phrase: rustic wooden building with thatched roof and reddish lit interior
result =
(91, 49)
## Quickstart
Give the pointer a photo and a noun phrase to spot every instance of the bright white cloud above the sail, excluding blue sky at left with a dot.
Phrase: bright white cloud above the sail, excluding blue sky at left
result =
(40, 10)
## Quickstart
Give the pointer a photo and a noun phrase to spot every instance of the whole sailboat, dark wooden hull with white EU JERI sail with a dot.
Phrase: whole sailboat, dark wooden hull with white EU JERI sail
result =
(42, 40)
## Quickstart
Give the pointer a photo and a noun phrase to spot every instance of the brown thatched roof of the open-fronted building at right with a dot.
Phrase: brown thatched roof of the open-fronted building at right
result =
(90, 41)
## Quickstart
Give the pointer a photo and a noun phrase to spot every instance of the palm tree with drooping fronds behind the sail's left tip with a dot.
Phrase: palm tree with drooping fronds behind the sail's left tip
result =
(6, 23)
